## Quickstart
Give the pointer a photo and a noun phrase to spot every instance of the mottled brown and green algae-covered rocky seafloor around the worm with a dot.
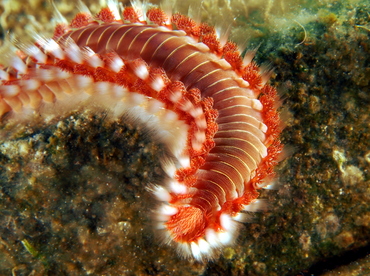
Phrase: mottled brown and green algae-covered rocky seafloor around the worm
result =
(73, 199)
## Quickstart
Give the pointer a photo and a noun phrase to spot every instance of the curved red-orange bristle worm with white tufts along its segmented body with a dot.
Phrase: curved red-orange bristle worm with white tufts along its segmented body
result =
(232, 130)
